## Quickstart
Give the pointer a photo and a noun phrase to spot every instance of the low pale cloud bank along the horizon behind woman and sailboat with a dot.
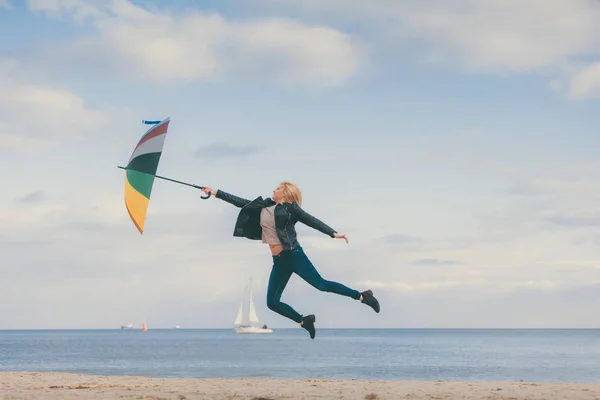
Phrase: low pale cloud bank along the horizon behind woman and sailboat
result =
(184, 264)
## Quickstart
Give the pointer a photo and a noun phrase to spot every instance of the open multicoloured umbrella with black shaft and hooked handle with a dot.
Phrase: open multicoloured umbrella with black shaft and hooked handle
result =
(141, 171)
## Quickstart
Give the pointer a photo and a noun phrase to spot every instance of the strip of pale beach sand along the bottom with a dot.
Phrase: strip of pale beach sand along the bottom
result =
(34, 385)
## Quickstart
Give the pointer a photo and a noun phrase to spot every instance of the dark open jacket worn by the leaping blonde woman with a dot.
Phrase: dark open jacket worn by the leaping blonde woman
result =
(286, 216)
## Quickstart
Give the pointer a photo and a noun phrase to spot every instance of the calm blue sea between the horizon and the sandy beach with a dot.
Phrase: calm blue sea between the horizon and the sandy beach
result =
(447, 354)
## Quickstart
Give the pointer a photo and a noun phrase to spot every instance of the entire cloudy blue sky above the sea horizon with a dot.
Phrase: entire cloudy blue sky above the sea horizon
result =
(455, 143)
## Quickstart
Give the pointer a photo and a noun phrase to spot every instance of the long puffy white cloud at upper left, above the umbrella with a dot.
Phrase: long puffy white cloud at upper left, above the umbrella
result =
(139, 45)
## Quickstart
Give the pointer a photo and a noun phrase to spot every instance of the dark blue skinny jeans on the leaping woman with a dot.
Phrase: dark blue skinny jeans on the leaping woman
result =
(288, 262)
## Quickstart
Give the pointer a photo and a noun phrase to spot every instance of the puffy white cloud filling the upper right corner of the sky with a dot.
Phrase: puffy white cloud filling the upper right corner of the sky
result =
(506, 36)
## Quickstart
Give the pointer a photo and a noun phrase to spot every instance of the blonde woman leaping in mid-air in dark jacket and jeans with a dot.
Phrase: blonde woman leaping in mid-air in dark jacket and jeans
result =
(273, 221)
